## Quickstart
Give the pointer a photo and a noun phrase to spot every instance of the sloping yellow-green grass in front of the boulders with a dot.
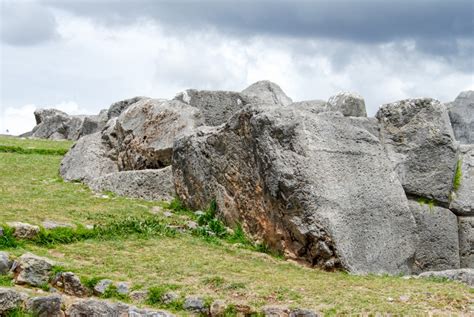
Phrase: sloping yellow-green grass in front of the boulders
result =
(32, 191)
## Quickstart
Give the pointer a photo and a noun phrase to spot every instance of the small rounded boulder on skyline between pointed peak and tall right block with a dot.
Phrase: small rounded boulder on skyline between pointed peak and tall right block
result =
(348, 103)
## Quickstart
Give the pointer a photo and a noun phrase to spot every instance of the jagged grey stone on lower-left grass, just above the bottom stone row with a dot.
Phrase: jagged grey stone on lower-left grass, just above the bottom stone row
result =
(32, 270)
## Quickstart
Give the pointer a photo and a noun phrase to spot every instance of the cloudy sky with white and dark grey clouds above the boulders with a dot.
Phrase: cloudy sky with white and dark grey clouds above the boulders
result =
(80, 56)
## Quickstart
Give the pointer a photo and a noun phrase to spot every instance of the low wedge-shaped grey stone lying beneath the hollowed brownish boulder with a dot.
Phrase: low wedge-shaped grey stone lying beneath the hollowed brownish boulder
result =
(154, 184)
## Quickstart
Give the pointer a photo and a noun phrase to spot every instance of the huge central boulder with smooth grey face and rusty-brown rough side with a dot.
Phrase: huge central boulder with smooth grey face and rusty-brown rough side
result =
(315, 186)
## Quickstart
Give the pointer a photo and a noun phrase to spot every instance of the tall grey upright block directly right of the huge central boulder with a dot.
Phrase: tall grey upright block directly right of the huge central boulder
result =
(419, 141)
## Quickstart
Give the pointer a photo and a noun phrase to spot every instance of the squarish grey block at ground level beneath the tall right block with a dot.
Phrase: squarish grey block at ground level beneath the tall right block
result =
(438, 245)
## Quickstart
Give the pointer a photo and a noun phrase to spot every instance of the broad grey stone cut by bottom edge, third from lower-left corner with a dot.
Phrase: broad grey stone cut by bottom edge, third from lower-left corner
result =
(92, 307)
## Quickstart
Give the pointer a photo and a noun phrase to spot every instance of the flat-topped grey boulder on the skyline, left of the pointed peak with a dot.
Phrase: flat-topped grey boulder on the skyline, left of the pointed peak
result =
(216, 106)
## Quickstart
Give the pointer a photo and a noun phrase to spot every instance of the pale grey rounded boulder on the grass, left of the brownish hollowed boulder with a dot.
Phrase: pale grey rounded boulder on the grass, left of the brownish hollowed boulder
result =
(87, 160)
